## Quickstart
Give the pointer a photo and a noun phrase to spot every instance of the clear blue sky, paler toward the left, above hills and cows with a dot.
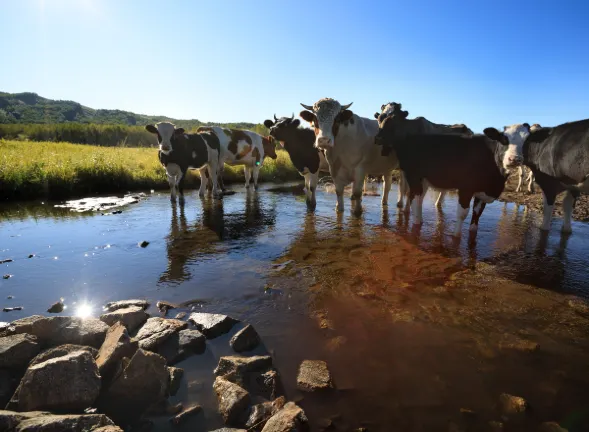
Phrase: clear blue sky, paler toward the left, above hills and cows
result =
(477, 62)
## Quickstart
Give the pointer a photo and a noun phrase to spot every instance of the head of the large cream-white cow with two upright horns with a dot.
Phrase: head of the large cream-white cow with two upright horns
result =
(325, 116)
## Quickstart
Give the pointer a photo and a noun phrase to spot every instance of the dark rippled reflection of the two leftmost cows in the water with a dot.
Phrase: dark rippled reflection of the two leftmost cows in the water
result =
(222, 226)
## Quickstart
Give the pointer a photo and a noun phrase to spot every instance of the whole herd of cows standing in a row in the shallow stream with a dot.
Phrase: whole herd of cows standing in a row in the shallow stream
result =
(428, 155)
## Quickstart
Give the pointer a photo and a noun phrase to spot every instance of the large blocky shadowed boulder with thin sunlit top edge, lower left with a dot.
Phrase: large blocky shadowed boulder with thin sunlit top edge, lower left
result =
(70, 382)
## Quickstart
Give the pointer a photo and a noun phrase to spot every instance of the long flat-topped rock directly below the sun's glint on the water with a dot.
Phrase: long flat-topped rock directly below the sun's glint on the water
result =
(62, 330)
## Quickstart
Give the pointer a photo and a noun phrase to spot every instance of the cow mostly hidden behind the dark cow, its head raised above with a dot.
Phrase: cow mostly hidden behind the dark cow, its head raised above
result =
(420, 125)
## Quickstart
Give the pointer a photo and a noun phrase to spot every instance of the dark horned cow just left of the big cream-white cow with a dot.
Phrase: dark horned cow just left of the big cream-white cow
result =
(299, 143)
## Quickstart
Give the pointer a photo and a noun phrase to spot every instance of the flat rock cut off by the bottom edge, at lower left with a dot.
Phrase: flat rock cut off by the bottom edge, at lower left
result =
(70, 423)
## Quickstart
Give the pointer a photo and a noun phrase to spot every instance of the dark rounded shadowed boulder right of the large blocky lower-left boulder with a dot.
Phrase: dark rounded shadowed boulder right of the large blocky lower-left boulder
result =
(142, 383)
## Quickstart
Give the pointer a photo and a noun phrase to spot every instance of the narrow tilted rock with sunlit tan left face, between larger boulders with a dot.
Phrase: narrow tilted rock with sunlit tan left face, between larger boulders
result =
(116, 346)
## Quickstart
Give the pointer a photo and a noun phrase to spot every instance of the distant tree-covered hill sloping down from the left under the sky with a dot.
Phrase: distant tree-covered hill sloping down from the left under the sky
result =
(30, 108)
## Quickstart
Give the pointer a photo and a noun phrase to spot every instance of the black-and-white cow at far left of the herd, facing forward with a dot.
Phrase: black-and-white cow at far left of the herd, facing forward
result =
(179, 152)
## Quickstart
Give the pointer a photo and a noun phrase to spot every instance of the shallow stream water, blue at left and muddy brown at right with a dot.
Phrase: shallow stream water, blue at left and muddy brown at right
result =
(415, 326)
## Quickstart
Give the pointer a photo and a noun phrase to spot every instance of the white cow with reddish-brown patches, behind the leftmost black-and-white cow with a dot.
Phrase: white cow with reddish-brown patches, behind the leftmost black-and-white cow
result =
(240, 147)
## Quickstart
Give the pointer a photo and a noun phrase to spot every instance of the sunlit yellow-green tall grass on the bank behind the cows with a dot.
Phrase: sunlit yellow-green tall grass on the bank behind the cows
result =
(51, 170)
